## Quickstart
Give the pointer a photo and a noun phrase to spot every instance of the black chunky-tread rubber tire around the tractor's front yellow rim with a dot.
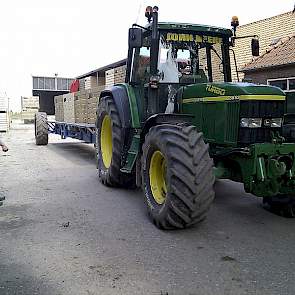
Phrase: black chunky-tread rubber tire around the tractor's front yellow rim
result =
(190, 174)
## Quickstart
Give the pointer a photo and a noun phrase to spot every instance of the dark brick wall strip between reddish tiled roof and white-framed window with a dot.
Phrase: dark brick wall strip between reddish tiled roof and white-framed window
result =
(261, 76)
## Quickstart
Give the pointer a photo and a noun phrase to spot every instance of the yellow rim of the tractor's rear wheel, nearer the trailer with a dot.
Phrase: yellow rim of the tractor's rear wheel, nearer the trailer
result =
(106, 141)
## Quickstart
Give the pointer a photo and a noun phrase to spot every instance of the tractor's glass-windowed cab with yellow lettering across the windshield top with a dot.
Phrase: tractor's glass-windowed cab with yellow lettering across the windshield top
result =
(163, 57)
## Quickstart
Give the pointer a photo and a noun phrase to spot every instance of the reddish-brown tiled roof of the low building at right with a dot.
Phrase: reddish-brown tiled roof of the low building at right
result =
(282, 53)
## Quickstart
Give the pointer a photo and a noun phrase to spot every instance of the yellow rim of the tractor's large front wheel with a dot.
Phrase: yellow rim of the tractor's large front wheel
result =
(157, 174)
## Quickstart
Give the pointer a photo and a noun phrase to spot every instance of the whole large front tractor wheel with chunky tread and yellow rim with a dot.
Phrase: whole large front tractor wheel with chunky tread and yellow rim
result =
(177, 176)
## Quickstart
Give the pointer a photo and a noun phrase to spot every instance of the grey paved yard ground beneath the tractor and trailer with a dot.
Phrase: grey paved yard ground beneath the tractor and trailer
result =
(62, 232)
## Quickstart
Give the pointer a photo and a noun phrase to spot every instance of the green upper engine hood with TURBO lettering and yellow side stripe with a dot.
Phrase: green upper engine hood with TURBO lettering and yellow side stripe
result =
(230, 91)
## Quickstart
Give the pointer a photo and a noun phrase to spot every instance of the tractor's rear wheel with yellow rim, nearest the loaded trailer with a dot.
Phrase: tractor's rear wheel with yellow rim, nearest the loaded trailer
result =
(110, 145)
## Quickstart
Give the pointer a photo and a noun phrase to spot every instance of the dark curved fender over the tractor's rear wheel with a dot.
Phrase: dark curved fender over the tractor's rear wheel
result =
(121, 100)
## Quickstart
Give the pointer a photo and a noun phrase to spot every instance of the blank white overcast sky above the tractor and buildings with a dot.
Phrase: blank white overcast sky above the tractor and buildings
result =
(69, 37)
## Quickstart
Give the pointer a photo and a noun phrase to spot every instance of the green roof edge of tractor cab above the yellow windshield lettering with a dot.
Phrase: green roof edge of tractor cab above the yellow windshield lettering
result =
(195, 28)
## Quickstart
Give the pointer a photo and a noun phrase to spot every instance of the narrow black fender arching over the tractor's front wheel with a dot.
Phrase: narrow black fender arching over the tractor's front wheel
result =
(162, 118)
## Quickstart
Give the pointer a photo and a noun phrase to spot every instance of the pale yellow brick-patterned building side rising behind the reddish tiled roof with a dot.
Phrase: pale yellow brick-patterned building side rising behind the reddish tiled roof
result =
(268, 30)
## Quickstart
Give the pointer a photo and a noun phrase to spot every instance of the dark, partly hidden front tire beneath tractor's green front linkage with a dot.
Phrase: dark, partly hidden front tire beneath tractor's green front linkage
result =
(282, 205)
